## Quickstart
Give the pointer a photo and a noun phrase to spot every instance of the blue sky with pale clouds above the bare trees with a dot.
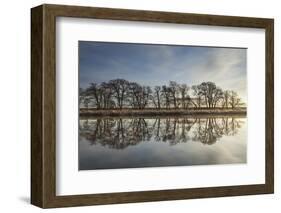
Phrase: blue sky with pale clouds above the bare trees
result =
(154, 64)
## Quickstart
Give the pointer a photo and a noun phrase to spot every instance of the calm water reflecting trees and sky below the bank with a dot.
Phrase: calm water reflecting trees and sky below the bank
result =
(107, 143)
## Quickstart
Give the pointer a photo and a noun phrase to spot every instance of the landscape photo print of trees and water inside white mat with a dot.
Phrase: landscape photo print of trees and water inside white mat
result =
(154, 105)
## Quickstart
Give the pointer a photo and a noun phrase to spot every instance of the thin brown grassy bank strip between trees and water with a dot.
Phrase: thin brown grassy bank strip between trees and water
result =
(161, 112)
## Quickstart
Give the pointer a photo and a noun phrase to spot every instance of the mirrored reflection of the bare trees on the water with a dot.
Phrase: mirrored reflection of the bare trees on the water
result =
(119, 133)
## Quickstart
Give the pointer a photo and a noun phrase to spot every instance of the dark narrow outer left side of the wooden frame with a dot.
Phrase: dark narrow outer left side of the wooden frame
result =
(36, 106)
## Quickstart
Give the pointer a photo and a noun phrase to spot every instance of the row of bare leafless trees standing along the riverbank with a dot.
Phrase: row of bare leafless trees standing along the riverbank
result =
(120, 94)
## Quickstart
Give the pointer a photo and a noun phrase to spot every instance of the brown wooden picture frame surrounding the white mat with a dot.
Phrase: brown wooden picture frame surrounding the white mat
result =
(43, 105)
